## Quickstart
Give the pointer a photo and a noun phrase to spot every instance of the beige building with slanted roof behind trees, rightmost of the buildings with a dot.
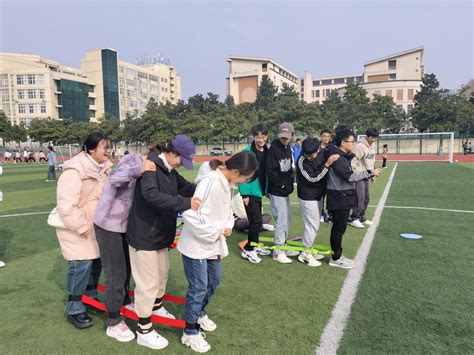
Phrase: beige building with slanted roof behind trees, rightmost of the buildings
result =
(399, 76)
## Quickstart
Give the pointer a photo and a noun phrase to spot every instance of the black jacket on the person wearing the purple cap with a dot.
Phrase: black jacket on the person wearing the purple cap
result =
(158, 197)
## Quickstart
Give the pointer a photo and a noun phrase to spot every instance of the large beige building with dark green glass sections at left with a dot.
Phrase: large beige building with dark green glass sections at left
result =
(35, 87)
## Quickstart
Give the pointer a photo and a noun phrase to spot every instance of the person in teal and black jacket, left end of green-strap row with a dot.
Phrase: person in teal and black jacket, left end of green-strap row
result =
(253, 192)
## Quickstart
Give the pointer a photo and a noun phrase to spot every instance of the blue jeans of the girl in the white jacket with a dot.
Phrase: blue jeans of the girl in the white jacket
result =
(203, 275)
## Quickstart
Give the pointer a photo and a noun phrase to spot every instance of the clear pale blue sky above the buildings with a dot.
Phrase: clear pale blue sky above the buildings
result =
(323, 37)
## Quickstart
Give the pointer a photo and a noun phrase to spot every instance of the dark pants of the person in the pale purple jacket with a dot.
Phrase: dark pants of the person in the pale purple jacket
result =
(116, 265)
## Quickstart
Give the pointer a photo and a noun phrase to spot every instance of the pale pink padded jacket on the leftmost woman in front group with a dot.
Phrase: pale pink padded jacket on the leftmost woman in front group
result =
(79, 188)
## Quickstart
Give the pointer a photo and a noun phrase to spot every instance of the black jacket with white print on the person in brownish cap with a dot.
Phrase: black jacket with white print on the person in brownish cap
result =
(279, 169)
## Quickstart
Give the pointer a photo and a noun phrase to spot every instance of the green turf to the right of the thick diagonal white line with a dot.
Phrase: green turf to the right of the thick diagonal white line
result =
(417, 296)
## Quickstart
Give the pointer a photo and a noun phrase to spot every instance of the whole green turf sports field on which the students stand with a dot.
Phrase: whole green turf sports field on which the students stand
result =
(414, 297)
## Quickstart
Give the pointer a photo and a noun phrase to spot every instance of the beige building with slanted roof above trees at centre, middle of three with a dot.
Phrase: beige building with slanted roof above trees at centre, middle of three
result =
(246, 73)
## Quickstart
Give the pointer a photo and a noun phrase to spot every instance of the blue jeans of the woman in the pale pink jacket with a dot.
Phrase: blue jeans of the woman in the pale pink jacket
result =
(82, 278)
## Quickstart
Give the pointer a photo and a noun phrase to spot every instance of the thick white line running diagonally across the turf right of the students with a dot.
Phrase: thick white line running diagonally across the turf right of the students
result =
(334, 330)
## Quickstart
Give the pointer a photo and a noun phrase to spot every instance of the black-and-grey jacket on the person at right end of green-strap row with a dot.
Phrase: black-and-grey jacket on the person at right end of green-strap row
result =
(341, 191)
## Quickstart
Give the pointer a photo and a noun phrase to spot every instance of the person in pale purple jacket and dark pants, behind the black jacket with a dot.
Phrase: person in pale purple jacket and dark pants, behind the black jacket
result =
(110, 223)
